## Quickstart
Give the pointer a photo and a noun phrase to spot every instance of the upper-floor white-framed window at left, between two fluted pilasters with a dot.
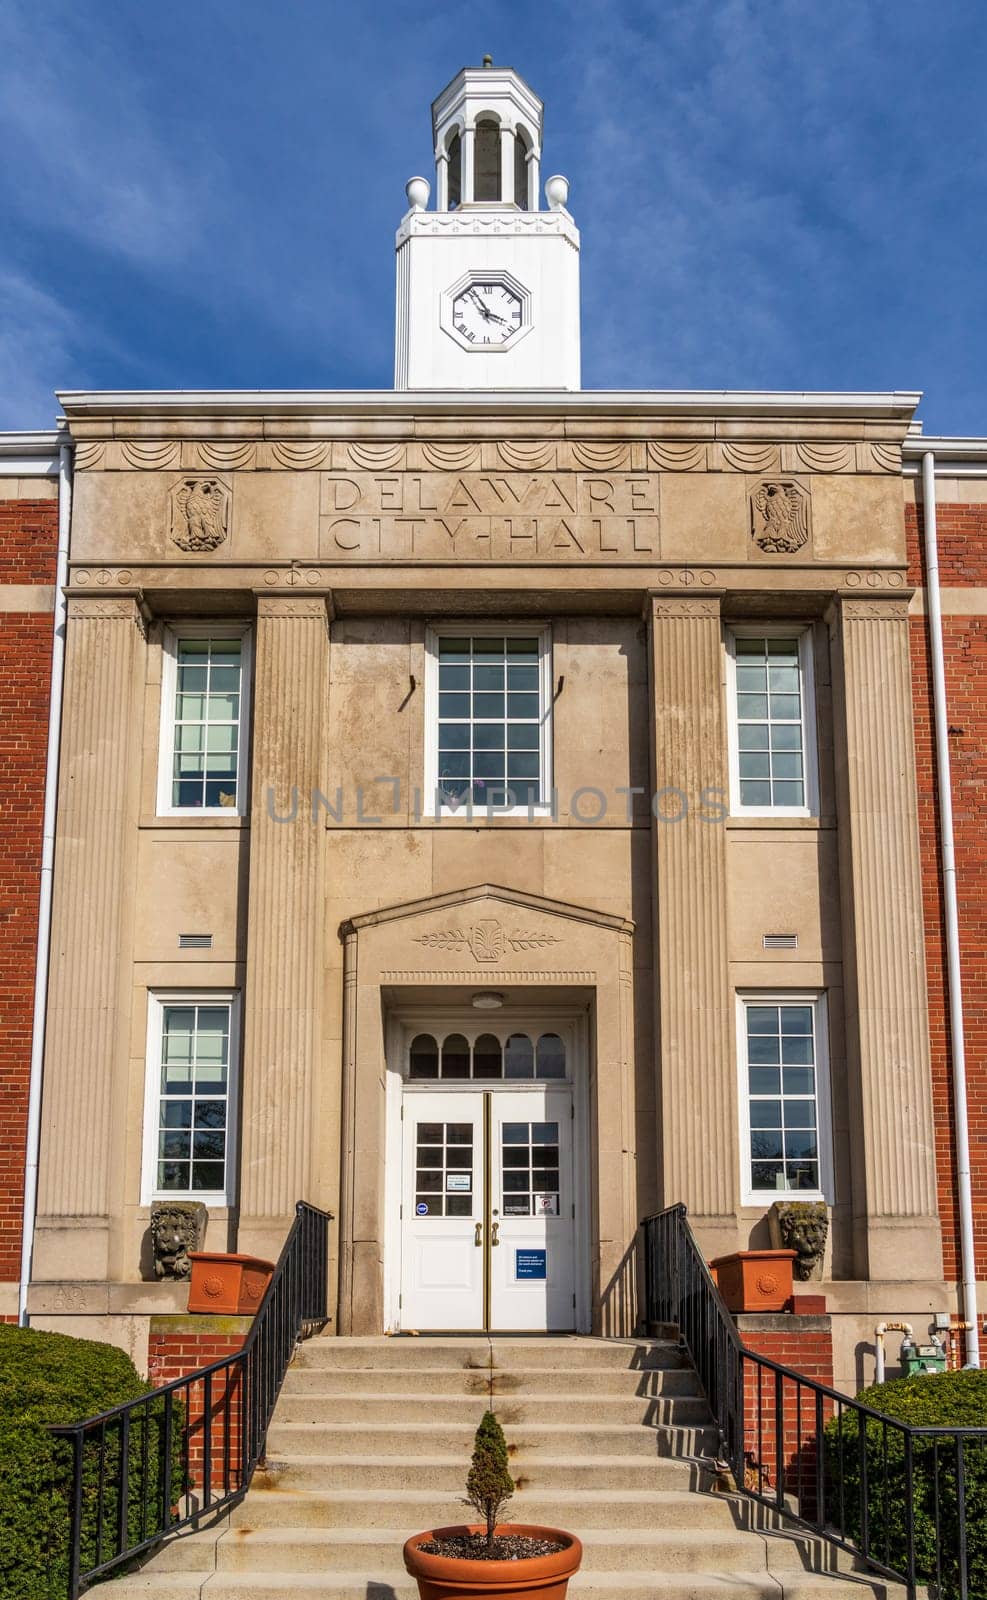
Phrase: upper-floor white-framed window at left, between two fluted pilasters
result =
(206, 689)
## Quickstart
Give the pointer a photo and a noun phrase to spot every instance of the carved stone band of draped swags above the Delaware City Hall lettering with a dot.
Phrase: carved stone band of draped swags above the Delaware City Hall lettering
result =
(522, 455)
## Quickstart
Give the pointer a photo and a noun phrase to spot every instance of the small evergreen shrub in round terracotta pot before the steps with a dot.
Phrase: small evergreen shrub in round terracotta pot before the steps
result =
(492, 1559)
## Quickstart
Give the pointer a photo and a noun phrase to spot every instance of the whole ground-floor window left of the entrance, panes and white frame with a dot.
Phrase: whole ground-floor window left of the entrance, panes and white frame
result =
(190, 1114)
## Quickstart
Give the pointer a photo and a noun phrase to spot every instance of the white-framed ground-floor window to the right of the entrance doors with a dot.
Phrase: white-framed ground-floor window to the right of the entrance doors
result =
(785, 1098)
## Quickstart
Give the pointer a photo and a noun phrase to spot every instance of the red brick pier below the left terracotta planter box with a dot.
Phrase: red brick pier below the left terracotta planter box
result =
(177, 1348)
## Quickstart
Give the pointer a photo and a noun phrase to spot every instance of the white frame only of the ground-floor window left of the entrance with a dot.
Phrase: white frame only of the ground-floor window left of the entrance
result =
(158, 999)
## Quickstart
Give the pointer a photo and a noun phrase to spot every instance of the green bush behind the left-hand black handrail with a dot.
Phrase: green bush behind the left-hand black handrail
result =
(52, 1378)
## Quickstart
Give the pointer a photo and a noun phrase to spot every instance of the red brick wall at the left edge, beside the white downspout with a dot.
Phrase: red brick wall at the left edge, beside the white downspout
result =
(28, 546)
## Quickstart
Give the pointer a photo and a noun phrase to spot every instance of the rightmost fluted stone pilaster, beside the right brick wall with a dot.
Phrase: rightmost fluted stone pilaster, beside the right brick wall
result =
(889, 1042)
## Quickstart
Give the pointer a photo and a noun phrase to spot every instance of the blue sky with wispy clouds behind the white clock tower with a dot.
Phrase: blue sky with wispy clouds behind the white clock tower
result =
(772, 194)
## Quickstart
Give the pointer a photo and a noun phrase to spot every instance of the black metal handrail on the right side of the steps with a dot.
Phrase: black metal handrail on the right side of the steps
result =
(898, 1497)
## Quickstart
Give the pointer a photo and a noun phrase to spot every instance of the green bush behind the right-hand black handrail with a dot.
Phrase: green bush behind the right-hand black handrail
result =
(930, 1401)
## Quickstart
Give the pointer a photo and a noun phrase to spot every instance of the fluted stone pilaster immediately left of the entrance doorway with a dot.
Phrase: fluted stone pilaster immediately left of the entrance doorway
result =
(282, 1002)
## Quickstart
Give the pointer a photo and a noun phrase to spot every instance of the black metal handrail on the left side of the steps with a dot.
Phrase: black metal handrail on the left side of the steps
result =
(159, 1465)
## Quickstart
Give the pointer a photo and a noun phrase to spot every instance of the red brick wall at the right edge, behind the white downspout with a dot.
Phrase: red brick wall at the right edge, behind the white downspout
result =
(962, 535)
